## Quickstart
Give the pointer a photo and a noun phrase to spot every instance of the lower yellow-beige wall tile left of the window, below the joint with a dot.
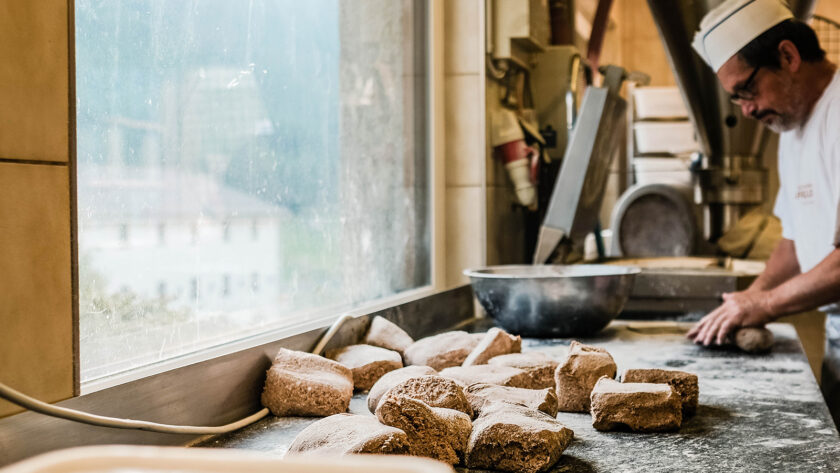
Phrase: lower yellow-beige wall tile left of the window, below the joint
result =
(36, 339)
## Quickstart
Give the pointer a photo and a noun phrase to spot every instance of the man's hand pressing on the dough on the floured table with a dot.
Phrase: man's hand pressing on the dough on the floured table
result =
(739, 309)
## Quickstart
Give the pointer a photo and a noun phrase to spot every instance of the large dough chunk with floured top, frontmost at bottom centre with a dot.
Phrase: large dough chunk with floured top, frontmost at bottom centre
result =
(514, 438)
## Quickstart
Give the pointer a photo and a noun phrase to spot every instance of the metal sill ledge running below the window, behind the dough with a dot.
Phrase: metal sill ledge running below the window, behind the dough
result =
(215, 391)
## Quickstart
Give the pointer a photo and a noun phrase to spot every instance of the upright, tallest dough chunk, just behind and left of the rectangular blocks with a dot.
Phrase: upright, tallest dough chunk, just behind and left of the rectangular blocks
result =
(577, 374)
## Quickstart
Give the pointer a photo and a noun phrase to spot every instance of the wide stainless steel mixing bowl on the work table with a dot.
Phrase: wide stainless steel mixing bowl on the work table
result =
(553, 300)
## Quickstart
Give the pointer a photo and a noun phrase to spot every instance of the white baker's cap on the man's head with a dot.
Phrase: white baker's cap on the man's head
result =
(733, 24)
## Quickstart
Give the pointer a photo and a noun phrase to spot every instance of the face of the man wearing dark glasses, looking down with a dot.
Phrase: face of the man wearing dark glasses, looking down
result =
(762, 93)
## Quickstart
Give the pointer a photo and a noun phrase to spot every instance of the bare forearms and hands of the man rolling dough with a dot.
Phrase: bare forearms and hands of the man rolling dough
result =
(772, 296)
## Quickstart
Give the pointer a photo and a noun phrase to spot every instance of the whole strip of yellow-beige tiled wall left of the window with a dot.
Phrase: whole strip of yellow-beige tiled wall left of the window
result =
(37, 338)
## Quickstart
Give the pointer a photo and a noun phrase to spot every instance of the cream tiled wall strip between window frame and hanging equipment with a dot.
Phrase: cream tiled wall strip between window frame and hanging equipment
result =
(482, 224)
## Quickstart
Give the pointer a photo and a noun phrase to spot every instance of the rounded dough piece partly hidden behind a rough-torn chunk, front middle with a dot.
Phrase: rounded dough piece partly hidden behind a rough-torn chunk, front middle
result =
(436, 391)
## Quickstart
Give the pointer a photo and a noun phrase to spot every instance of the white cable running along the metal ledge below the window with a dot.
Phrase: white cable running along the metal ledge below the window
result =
(41, 407)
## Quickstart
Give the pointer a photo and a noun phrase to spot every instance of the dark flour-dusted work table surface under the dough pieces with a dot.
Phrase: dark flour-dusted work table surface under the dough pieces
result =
(756, 413)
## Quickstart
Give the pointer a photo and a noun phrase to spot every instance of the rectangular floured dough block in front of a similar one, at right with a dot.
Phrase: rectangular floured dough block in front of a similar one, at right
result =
(641, 407)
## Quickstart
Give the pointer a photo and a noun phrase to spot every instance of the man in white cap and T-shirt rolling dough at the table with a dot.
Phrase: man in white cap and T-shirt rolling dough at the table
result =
(772, 66)
